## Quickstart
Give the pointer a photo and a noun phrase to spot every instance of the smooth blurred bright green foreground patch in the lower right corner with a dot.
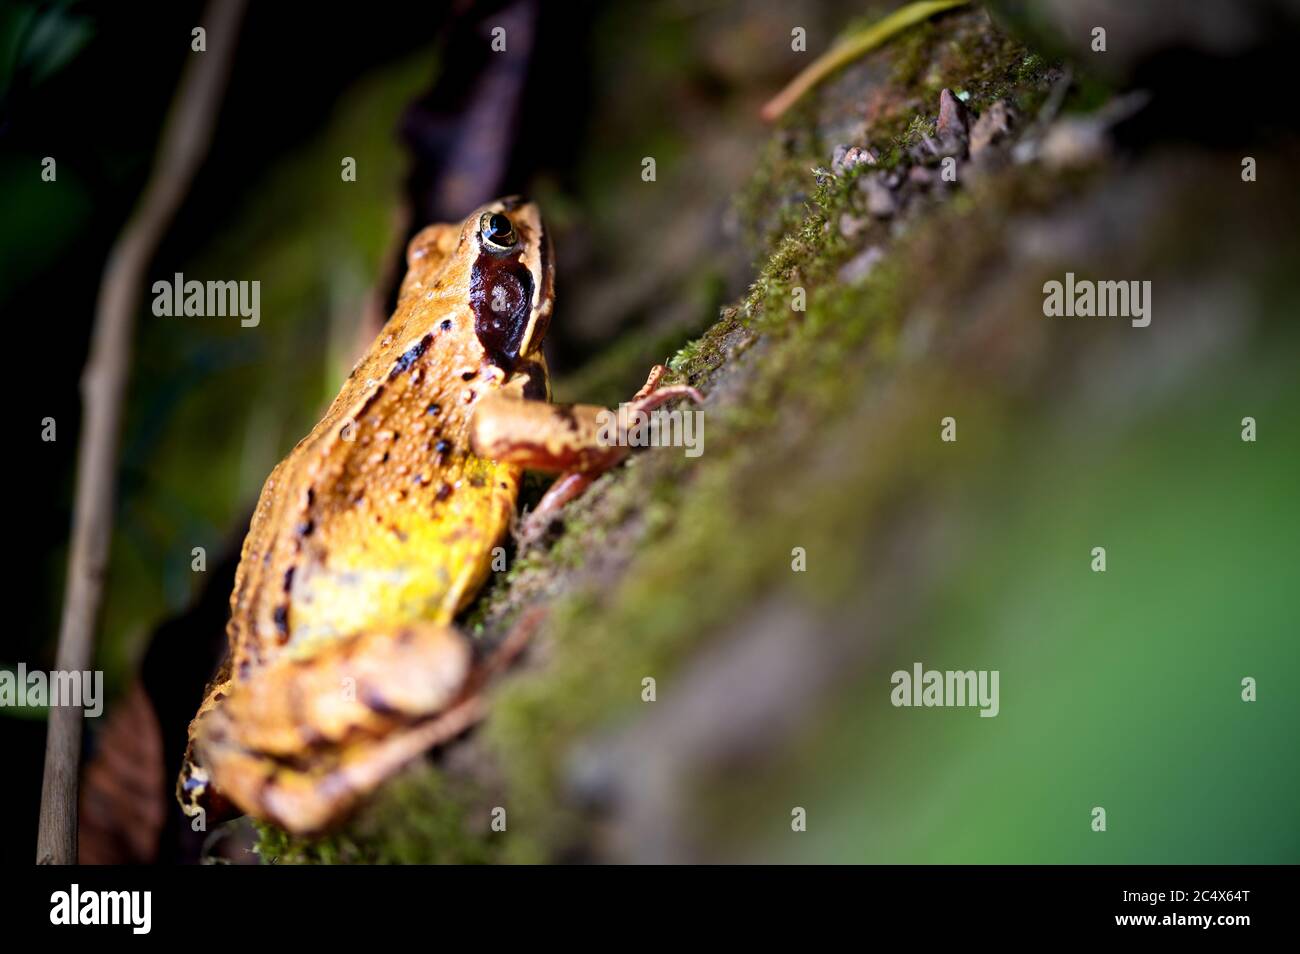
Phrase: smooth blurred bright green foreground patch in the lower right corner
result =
(1119, 690)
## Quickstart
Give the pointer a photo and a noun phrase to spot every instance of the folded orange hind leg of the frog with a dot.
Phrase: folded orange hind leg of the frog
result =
(305, 739)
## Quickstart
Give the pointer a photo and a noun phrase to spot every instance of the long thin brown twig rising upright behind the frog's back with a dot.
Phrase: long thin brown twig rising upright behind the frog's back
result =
(183, 148)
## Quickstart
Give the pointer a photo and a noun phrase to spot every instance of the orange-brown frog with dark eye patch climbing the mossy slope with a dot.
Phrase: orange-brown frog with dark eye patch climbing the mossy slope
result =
(382, 526)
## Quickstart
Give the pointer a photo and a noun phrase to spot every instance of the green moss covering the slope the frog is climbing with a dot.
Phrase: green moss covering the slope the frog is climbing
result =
(682, 545)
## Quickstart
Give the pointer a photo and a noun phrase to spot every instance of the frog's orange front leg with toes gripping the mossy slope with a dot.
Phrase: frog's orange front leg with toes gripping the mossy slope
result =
(570, 440)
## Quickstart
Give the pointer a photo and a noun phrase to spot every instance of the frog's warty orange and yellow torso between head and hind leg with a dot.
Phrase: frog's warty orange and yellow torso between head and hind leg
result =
(383, 514)
